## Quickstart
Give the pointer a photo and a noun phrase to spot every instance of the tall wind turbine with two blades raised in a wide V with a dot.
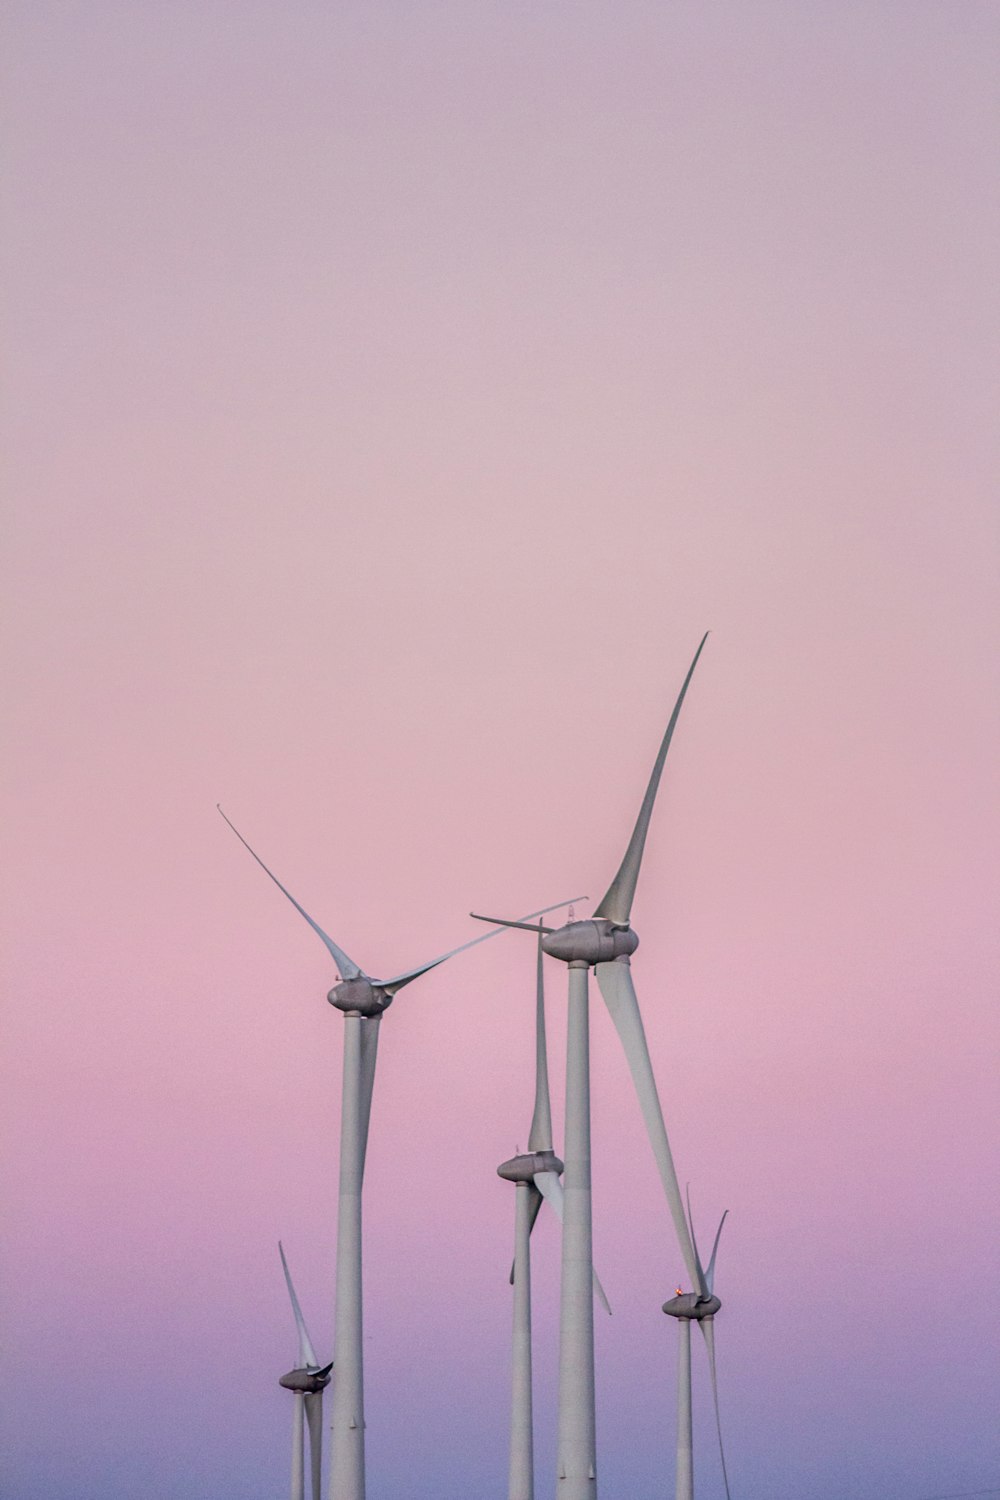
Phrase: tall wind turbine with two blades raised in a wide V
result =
(364, 1000)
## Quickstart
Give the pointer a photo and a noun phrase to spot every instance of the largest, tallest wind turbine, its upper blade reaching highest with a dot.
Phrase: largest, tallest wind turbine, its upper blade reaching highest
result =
(605, 943)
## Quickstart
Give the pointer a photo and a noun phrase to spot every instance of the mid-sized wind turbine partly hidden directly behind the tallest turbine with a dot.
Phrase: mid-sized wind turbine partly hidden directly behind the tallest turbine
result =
(537, 1178)
